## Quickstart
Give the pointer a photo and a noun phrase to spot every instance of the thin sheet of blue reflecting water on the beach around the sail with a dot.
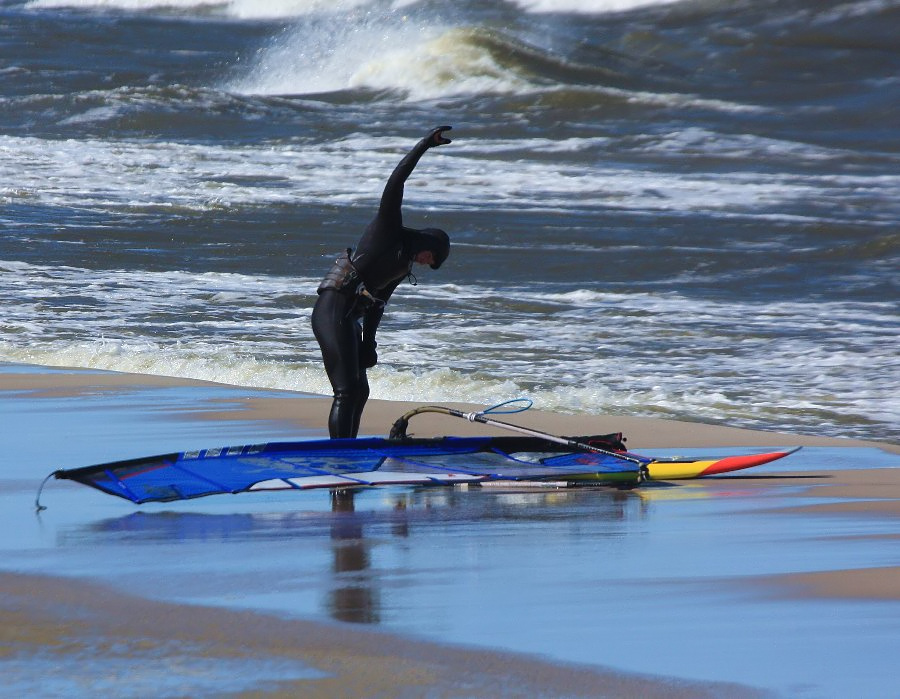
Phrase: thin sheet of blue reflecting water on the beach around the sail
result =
(658, 580)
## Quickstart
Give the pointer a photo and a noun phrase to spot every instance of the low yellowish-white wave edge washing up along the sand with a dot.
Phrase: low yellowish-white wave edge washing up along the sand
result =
(866, 414)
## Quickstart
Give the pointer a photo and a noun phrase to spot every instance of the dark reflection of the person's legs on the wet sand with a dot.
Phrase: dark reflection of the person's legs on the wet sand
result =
(354, 597)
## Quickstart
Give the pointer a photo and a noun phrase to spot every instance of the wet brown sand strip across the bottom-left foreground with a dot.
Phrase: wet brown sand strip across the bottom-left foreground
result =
(66, 618)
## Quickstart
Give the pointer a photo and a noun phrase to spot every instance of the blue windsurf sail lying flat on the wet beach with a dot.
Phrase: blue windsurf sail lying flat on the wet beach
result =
(349, 463)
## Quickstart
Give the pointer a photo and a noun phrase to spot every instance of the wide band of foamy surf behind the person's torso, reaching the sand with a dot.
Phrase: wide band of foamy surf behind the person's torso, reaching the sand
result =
(577, 351)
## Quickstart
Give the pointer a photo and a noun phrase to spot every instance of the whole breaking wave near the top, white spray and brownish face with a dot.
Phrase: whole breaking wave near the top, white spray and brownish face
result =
(420, 58)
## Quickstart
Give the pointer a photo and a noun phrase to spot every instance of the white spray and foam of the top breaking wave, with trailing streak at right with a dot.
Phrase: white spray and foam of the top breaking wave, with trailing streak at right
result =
(418, 57)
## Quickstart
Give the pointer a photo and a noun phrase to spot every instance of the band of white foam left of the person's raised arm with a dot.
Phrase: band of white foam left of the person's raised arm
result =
(113, 174)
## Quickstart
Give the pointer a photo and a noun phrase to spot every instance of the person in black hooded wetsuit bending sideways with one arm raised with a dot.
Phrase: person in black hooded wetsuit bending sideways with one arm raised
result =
(353, 293)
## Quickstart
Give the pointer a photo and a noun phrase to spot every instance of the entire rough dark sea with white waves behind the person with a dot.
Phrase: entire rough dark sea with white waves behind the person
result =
(677, 209)
